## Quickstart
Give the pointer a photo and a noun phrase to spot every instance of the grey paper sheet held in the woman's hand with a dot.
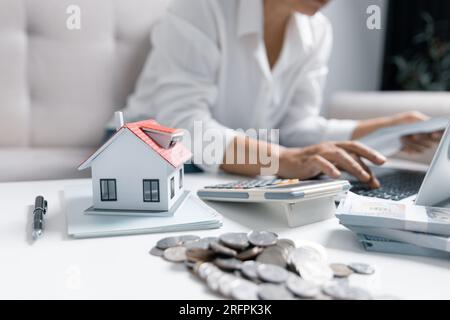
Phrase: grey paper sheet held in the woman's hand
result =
(388, 140)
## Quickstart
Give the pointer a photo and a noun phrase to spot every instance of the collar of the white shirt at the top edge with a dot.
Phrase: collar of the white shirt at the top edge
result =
(250, 17)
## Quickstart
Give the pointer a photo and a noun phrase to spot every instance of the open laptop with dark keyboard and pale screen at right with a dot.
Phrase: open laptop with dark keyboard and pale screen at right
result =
(431, 188)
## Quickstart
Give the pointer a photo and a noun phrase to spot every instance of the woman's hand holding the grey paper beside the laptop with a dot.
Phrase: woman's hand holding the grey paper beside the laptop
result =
(417, 143)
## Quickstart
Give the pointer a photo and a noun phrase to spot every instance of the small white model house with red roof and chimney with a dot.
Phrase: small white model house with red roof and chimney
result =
(139, 168)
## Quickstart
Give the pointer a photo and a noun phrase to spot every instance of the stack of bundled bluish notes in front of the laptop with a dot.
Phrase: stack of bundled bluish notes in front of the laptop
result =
(426, 228)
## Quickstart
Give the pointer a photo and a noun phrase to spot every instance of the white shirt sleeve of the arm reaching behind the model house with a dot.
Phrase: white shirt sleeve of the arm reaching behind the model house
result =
(179, 83)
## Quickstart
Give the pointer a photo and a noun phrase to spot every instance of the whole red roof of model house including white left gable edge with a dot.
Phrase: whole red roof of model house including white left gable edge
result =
(176, 155)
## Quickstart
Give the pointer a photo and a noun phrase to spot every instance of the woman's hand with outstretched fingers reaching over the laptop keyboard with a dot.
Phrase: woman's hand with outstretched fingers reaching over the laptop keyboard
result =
(330, 158)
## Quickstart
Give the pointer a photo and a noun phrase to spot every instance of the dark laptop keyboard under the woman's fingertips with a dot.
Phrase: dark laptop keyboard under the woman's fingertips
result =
(394, 186)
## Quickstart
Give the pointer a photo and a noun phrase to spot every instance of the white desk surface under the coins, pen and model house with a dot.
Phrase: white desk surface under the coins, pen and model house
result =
(121, 268)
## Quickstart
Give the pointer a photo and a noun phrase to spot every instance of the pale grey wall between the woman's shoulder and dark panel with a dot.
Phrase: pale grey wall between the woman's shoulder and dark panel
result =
(357, 56)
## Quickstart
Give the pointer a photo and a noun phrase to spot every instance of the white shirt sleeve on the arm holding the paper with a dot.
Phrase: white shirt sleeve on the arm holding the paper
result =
(303, 124)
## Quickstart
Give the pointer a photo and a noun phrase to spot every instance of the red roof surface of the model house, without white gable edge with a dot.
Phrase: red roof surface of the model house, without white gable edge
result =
(176, 156)
